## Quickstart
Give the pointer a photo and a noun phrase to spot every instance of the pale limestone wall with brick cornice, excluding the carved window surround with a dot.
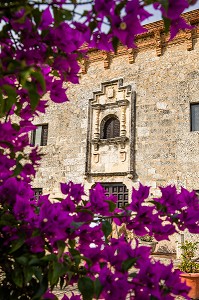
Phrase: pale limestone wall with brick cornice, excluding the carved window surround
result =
(165, 79)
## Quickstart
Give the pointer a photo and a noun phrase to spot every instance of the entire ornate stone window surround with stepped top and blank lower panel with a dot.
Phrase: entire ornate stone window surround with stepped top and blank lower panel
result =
(114, 100)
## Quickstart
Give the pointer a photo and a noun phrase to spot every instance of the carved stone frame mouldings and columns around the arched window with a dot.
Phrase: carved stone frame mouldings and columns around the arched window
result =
(93, 132)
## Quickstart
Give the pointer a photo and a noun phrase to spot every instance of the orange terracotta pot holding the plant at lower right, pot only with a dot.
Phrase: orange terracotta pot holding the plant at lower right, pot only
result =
(192, 280)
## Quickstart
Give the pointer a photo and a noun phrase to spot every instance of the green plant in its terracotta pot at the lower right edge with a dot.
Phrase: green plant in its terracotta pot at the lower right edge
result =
(190, 268)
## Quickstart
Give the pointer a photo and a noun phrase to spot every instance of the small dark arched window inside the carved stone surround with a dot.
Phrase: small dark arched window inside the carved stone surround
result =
(110, 128)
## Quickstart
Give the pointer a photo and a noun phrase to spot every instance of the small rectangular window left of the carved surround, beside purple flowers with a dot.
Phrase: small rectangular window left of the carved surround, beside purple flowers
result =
(39, 136)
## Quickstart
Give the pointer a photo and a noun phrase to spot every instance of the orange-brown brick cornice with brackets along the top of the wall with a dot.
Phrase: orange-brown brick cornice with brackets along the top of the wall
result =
(155, 38)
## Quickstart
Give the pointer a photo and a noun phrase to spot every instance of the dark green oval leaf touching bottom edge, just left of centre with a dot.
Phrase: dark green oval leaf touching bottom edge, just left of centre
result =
(86, 287)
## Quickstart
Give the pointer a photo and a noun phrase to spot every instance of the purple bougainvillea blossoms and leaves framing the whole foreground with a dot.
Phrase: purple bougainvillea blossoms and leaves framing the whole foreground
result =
(45, 244)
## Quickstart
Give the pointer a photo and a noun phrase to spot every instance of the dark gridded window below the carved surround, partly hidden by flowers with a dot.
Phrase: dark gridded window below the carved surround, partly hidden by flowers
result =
(119, 190)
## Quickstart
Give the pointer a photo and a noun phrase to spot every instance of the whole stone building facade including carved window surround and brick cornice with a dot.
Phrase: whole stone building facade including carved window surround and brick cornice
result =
(133, 118)
